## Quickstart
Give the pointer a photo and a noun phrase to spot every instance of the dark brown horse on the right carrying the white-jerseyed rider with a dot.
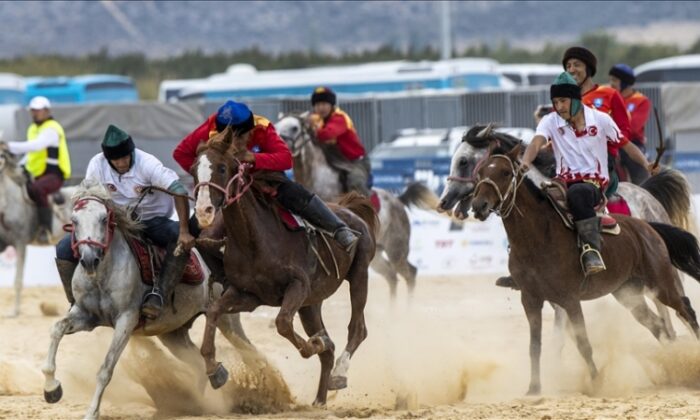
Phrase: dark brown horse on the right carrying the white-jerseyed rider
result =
(545, 256)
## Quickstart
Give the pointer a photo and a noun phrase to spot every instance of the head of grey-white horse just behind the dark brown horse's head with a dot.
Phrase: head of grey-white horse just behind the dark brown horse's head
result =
(461, 182)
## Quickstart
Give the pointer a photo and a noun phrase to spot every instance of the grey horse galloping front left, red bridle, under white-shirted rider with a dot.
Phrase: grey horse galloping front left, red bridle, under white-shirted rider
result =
(108, 289)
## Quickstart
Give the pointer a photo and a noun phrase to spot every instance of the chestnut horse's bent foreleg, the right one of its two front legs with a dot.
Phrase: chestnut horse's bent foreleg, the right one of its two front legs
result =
(294, 297)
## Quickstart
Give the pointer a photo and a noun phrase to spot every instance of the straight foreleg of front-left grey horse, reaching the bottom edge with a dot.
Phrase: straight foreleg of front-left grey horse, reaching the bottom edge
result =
(122, 332)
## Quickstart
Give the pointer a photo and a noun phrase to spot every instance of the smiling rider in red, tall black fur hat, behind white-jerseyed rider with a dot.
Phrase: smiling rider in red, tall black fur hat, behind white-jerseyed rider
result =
(581, 64)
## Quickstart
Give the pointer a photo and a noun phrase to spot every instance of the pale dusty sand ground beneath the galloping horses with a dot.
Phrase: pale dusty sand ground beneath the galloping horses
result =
(457, 350)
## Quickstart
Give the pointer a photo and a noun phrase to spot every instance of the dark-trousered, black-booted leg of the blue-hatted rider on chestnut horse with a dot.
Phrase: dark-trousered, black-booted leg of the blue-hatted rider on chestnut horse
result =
(296, 198)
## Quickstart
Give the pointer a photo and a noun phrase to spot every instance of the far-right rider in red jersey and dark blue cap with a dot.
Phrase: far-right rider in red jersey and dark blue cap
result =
(638, 105)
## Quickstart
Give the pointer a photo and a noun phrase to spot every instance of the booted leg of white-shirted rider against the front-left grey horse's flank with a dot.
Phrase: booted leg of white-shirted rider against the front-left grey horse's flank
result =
(163, 232)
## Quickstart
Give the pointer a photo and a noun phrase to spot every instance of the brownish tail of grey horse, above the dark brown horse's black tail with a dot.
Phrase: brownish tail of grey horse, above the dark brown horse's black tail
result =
(673, 192)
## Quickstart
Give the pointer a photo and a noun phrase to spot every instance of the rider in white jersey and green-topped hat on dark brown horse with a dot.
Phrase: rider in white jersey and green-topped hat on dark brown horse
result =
(580, 136)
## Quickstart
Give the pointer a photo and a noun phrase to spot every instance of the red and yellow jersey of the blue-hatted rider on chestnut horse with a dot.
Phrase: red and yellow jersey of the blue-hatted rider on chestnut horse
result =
(271, 152)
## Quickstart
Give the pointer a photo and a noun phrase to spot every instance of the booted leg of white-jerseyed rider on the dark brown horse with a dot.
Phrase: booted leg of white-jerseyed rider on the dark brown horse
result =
(582, 198)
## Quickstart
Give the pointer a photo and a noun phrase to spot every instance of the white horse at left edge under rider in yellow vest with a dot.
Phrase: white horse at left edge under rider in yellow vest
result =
(18, 216)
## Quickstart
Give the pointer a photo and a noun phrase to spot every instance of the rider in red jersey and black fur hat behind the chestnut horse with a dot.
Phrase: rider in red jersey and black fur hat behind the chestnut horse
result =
(332, 126)
